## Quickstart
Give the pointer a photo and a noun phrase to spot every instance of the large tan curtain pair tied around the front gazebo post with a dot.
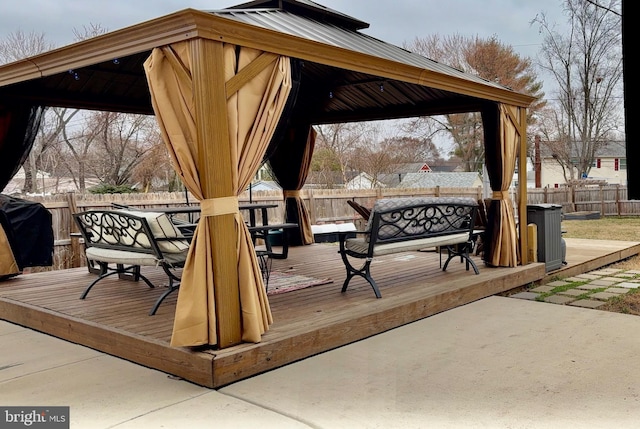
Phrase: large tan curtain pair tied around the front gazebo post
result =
(254, 105)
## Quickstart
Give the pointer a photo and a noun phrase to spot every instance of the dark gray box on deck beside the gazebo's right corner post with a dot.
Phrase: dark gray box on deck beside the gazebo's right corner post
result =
(547, 218)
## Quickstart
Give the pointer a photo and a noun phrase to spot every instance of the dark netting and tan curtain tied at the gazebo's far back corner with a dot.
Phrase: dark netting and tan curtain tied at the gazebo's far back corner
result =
(290, 164)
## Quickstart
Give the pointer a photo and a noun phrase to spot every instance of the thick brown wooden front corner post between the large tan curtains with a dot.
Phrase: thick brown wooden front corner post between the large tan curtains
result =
(215, 165)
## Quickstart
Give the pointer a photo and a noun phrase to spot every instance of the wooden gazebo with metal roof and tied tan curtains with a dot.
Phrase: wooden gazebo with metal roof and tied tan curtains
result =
(231, 87)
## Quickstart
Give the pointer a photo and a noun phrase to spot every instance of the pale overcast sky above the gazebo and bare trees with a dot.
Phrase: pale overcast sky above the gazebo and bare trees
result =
(394, 21)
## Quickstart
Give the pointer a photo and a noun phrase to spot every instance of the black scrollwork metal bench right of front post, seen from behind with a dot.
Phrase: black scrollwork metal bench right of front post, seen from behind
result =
(405, 224)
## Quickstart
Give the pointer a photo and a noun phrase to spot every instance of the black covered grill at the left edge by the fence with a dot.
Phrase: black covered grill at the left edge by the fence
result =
(29, 231)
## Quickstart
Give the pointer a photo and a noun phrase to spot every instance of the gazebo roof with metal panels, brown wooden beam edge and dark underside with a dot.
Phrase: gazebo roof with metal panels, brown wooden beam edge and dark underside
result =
(346, 75)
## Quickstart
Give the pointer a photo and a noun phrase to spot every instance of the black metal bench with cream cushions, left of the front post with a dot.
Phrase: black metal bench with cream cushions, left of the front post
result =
(121, 241)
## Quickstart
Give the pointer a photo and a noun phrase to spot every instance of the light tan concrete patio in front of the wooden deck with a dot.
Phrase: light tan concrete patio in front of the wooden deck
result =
(495, 363)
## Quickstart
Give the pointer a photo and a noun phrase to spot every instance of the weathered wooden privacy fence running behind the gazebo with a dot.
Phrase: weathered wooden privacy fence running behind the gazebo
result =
(325, 206)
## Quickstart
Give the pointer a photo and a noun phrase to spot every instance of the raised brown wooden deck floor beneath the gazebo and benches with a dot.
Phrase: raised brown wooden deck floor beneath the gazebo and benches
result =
(114, 317)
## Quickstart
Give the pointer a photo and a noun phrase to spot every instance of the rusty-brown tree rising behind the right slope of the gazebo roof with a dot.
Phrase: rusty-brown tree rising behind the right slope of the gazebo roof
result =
(489, 59)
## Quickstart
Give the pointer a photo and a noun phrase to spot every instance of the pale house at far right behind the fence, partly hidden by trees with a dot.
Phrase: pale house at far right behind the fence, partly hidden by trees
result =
(609, 165)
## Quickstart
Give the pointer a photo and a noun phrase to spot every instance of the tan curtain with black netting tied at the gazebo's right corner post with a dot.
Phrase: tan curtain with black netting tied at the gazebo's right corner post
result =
(501, 132)
